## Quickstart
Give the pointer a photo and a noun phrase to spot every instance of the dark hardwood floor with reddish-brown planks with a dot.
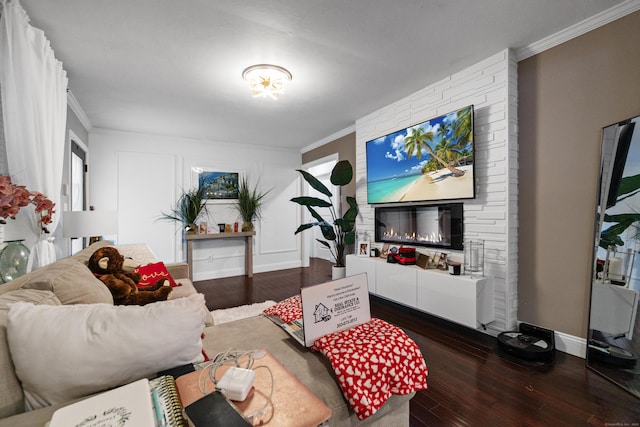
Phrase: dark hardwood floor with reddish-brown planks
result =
(469, 383)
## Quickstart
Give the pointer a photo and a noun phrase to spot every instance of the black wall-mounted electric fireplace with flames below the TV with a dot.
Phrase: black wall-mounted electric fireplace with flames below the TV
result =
(435, 226)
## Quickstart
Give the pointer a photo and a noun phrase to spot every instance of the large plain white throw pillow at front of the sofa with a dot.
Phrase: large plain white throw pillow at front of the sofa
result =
(66, 352)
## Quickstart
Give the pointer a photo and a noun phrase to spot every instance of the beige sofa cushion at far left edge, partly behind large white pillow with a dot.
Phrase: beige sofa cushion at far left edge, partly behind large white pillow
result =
(11, 396)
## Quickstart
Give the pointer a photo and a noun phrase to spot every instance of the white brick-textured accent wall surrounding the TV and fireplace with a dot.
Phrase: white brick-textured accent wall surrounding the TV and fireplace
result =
(491, 86)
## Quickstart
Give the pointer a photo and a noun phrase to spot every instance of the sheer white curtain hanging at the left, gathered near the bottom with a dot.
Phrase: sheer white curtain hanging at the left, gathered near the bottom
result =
(33, 88)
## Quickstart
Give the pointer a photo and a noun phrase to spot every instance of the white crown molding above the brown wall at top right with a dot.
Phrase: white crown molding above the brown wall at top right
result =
(596, 21)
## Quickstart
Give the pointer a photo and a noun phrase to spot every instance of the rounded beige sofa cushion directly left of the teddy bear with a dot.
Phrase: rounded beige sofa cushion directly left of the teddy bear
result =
(71, 281)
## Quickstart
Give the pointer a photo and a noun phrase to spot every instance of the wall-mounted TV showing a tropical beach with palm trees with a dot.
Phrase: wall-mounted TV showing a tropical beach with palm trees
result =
(432, 160)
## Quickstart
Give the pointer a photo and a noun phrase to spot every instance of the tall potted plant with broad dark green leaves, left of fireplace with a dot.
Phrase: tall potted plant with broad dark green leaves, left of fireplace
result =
(341, 230)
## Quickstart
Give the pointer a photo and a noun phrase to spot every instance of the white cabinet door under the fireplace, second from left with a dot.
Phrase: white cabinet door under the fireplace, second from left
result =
(396, 282)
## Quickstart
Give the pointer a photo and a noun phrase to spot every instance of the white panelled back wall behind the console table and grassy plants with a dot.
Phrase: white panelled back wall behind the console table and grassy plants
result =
(143, 175)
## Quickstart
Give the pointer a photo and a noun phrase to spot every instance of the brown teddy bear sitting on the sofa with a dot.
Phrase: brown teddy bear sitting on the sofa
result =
(108, 265)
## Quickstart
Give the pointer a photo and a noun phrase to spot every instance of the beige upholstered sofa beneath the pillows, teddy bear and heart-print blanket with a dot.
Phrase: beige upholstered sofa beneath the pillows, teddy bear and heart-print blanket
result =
(67, 283)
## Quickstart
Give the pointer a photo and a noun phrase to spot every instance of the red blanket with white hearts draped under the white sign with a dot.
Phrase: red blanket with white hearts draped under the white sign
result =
(372, 361)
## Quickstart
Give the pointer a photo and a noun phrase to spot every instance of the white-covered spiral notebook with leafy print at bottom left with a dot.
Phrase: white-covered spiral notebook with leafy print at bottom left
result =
(143, 403)
